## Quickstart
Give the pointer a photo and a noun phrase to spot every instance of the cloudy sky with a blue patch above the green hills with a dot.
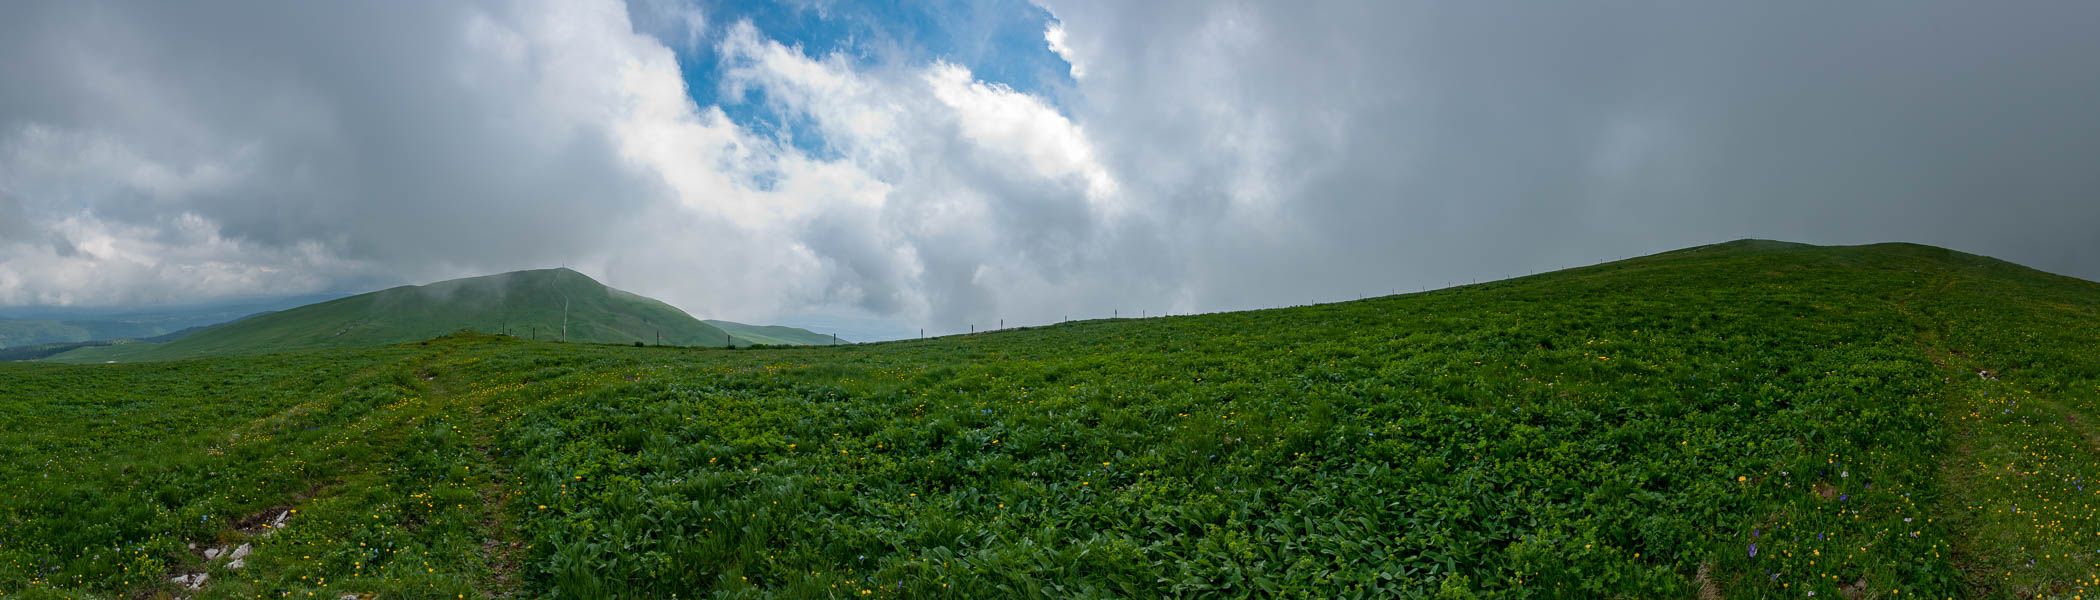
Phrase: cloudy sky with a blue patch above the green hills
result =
(887, 167)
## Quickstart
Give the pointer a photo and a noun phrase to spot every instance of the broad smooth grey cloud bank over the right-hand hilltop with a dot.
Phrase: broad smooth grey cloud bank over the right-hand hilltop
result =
(1406, 144)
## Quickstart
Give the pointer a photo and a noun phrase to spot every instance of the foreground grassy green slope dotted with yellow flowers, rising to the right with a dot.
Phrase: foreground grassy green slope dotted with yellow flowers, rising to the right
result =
(1740, 421)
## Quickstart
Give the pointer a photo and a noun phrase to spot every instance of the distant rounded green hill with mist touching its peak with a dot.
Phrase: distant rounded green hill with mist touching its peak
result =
(537, 305)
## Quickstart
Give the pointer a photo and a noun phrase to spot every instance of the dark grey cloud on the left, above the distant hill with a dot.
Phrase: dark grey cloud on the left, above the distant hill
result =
(350, 127)
